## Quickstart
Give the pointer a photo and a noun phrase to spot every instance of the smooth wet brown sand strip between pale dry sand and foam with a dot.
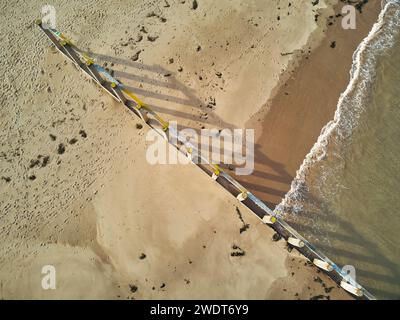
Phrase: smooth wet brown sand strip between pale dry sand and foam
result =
(294, 117)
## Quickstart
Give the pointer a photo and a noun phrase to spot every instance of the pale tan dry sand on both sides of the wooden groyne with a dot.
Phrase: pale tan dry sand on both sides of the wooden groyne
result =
(96, 208)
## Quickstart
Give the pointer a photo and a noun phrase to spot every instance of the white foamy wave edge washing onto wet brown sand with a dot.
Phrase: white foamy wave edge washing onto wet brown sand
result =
(350, 104)
